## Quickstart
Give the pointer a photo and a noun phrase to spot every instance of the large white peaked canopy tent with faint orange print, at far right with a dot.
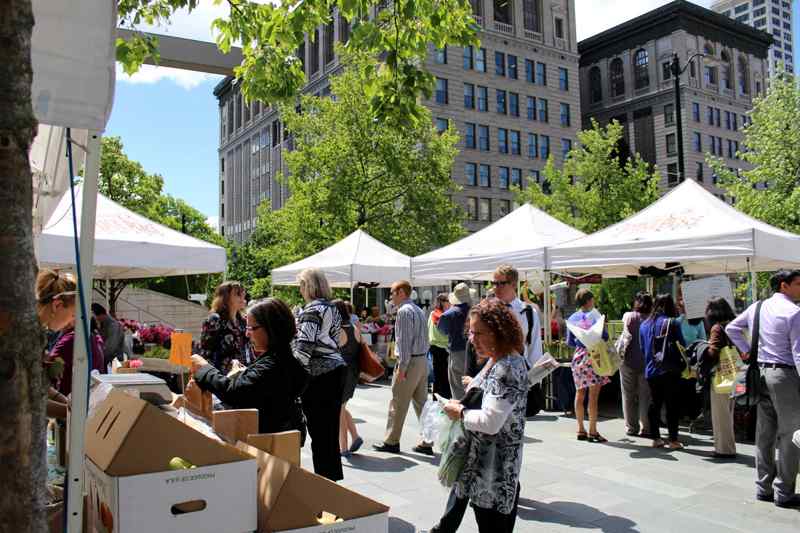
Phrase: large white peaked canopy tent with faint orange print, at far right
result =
(688, 225)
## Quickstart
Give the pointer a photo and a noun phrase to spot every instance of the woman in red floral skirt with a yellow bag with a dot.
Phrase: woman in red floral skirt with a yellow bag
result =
(582, 371)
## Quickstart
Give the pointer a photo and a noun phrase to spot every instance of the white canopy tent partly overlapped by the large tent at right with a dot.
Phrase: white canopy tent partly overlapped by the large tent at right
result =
(520, 238)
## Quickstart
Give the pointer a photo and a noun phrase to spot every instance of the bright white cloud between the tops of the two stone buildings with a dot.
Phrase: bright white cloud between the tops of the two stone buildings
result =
(595, 16)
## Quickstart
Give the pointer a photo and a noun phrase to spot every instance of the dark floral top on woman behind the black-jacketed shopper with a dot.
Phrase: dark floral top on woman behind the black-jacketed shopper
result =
(222, 341)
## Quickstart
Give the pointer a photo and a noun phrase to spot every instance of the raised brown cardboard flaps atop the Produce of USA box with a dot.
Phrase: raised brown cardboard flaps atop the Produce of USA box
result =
(128, 436)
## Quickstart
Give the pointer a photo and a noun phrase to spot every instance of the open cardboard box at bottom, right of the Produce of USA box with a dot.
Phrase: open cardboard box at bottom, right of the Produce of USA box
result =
(291, 499)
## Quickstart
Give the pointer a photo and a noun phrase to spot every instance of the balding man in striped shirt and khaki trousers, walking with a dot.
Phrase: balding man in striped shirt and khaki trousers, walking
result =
(410, 379)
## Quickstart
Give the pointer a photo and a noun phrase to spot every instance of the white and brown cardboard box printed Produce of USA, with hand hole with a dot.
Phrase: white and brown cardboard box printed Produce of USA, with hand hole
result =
(129, 444)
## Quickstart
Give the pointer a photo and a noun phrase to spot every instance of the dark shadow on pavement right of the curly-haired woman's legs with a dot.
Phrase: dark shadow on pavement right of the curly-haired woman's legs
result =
(569, 513)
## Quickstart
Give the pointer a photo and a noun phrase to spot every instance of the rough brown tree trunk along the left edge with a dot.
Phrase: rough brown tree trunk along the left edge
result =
(22, 385)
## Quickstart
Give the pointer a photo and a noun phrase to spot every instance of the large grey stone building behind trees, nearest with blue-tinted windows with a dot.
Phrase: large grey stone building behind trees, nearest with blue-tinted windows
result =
(515, 101)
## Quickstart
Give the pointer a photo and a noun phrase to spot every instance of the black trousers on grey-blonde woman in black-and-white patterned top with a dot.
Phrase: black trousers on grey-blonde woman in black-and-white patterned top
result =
(322, 403)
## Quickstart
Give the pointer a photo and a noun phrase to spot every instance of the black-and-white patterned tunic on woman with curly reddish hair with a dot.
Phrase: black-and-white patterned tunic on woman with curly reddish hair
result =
(491, 470)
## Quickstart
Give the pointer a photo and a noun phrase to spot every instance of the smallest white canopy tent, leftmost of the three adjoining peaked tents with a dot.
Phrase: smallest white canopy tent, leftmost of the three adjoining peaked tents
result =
(358, 258)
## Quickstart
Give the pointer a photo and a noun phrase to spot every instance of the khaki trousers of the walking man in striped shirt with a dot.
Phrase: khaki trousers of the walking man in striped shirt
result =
(413, 388)
